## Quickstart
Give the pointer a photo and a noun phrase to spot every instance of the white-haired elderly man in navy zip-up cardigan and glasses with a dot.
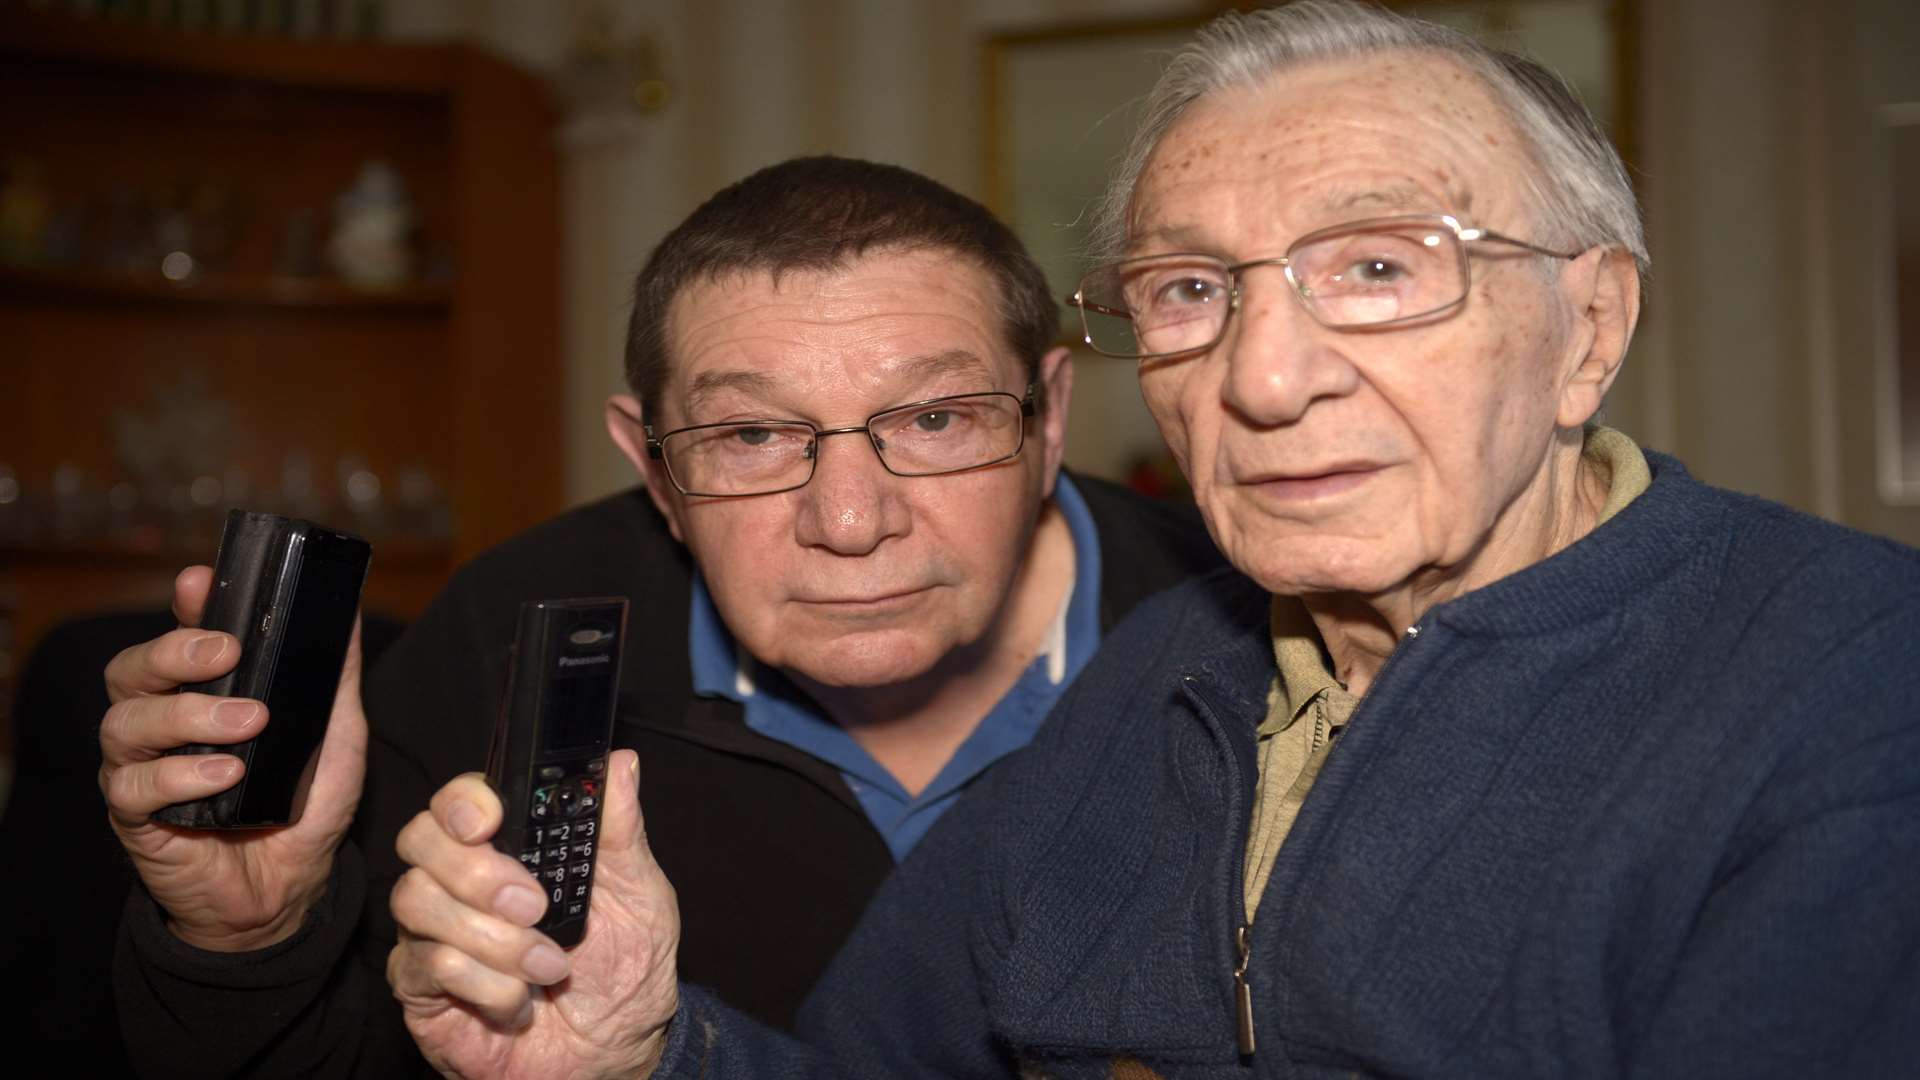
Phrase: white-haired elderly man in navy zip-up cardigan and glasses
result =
(1508, 750)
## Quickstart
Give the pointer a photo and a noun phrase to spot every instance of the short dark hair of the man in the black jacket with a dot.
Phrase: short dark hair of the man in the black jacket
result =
(817, 214)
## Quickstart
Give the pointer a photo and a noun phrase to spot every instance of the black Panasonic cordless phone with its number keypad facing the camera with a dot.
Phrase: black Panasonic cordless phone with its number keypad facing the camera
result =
(550, 750)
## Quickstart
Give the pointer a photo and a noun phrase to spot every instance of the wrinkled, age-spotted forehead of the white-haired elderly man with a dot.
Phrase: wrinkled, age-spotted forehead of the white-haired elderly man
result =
(1335, 141)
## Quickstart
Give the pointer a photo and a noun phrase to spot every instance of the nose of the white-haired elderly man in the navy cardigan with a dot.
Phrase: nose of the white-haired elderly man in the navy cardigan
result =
(1280, 360)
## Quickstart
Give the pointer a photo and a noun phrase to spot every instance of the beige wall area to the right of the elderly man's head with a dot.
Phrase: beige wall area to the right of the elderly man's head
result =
(1756, 362)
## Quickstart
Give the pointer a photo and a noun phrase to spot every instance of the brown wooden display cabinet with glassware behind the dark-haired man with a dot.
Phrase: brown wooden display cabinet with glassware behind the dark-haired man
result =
(122, 391)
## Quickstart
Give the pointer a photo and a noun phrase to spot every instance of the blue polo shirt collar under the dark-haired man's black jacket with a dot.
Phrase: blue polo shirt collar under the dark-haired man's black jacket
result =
(779, 710)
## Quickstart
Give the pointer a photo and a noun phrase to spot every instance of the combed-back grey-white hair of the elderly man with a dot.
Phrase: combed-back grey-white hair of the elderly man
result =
(1579, 185)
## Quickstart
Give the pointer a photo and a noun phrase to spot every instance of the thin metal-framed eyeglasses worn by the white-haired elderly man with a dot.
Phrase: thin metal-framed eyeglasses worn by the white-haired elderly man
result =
(1376, 274)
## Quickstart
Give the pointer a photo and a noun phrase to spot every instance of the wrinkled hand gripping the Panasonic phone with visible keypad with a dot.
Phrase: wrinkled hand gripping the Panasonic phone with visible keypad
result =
(489, 996)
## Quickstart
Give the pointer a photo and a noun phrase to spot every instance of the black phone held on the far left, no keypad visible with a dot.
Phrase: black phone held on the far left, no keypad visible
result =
(289, 591)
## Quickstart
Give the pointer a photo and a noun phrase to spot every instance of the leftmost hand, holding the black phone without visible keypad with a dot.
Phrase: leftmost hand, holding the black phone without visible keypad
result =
(224, 891)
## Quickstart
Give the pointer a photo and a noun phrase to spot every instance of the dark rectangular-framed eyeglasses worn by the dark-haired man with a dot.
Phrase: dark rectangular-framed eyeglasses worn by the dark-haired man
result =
(921, 439)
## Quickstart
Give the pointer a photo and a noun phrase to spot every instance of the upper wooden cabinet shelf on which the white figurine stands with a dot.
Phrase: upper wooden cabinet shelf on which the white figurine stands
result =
(64, 285)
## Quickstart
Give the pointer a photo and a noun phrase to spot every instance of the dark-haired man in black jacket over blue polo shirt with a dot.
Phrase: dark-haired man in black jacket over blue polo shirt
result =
(848, 635)
